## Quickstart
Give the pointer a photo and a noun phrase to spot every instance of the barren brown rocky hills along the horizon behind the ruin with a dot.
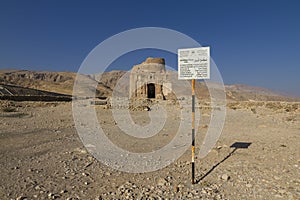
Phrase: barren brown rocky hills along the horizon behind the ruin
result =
(62, 83)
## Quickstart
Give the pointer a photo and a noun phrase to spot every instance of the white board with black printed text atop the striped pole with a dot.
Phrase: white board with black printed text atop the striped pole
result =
(194, 63)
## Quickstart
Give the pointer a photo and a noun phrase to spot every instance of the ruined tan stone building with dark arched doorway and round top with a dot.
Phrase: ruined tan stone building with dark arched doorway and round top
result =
(150, 80)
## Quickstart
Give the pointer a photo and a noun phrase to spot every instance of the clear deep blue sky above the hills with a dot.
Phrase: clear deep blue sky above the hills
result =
(252, 42)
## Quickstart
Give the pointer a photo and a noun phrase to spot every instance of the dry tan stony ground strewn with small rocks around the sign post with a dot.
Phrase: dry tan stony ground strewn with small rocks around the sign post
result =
(42, 156)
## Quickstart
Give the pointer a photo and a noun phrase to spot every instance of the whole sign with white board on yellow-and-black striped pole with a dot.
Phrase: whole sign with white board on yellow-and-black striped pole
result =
(193, 63)
